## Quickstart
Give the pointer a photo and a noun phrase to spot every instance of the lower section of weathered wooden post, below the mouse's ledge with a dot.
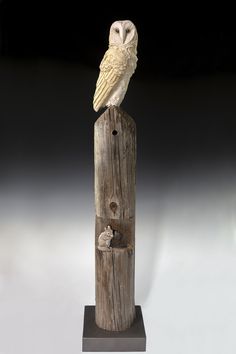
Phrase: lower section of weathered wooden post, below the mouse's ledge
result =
(115, 310)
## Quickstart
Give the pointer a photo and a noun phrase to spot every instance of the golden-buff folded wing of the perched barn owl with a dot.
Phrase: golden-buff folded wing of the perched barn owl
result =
(112, 68)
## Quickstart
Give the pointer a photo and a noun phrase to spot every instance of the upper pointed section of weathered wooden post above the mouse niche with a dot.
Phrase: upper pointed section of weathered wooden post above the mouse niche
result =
(115, 159)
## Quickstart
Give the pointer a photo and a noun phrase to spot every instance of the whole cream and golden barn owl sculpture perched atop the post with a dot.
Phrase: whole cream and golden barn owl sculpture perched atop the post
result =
(117, 65)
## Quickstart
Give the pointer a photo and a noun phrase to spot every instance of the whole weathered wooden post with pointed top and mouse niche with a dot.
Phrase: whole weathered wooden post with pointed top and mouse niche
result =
(115, 163)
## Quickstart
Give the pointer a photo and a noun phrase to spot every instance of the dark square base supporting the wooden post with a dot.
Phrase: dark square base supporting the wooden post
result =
(96, 339)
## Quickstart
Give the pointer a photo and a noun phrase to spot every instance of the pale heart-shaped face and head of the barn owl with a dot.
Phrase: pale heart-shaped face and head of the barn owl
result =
(123, 33)
